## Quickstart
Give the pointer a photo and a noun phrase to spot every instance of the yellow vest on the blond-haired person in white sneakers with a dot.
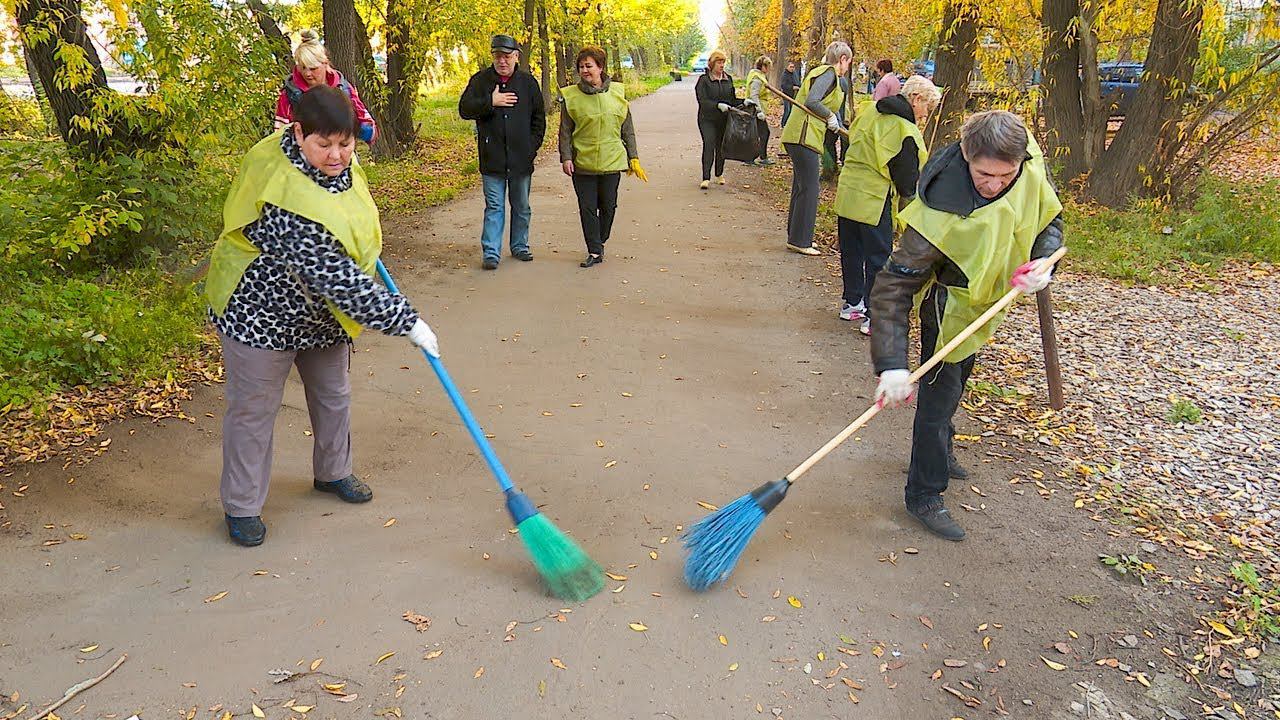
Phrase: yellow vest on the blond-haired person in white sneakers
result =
(875, 139)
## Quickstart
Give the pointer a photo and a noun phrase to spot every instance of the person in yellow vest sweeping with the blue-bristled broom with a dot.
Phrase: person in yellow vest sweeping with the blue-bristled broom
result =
(986, 217)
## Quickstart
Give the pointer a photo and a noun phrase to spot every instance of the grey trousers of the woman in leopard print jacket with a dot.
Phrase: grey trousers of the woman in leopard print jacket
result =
(255, 388)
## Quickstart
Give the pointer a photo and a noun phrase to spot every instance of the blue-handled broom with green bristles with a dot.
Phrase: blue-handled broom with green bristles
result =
(569, 573)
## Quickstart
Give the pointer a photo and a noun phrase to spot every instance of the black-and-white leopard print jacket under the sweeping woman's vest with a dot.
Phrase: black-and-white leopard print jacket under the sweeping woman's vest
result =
(280, 303)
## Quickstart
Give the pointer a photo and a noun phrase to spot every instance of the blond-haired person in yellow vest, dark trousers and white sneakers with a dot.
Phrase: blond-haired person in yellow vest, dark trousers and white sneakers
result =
(886, 153)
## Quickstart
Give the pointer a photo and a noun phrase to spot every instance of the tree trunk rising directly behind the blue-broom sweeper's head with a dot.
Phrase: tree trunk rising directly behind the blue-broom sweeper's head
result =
(958, 45)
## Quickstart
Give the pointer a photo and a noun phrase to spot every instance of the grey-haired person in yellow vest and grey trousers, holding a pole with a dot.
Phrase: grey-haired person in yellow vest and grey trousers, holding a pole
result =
(803, 139)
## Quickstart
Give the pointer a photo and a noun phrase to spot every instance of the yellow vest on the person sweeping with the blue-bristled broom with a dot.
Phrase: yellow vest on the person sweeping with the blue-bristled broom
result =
(988, 247)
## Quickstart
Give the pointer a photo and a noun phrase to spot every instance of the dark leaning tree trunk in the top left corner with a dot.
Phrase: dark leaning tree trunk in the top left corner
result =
(67, 103)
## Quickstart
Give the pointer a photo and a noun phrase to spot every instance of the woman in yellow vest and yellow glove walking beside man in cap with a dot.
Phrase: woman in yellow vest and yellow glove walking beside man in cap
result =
(598, 144)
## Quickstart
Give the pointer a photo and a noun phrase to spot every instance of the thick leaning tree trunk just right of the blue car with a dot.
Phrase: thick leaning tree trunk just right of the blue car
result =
(1137, 160)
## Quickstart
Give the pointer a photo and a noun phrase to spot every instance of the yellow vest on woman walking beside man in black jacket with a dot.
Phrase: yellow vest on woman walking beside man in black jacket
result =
(598, 127)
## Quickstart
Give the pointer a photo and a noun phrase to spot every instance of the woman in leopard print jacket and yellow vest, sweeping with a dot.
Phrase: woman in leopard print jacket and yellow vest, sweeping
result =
(290, 285)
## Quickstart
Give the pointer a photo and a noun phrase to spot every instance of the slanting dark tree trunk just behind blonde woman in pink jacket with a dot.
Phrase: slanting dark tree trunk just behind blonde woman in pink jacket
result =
(348, 43)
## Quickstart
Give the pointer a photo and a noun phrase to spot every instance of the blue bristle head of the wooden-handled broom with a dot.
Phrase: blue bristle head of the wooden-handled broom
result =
(717, 541)
